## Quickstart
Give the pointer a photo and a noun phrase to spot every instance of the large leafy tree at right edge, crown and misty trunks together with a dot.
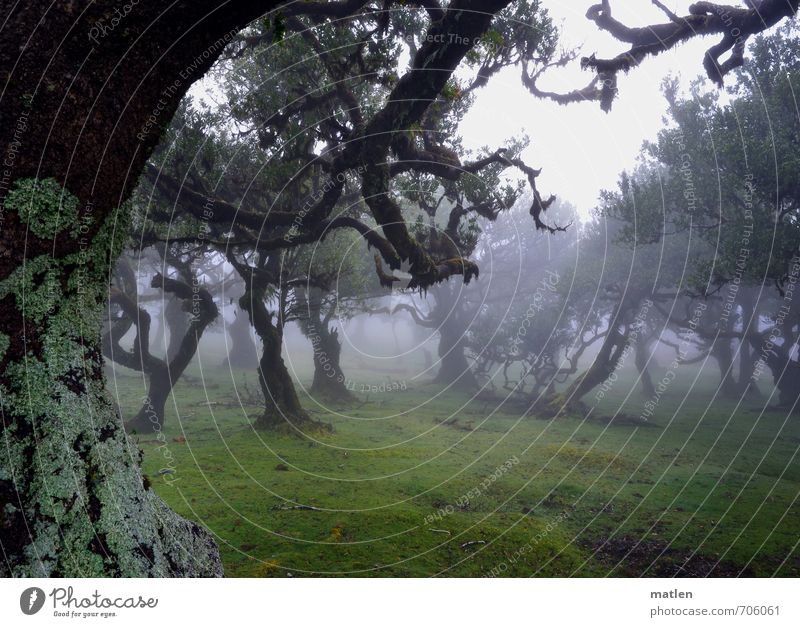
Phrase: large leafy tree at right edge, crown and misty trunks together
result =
(726, 174)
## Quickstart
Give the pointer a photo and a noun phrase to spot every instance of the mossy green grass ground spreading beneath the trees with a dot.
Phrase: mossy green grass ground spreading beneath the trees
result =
(420, 482)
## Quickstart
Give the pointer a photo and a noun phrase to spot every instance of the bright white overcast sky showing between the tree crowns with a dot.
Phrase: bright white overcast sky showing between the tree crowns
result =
(581, 149)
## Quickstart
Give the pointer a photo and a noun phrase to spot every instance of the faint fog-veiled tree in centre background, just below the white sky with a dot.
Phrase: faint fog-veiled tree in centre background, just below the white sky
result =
(521, 329)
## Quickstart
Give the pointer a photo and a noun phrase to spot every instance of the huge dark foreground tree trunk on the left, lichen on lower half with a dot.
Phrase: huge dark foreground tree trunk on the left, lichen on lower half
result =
(81, 115)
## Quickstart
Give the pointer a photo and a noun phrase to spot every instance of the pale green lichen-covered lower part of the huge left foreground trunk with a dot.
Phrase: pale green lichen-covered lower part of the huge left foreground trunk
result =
(72, 498)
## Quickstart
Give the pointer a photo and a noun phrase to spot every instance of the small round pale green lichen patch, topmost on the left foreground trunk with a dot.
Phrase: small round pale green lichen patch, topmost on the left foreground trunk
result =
(45, 206)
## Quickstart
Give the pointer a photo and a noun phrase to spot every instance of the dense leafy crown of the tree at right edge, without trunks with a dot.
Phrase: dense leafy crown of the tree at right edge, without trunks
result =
(725, 173)
